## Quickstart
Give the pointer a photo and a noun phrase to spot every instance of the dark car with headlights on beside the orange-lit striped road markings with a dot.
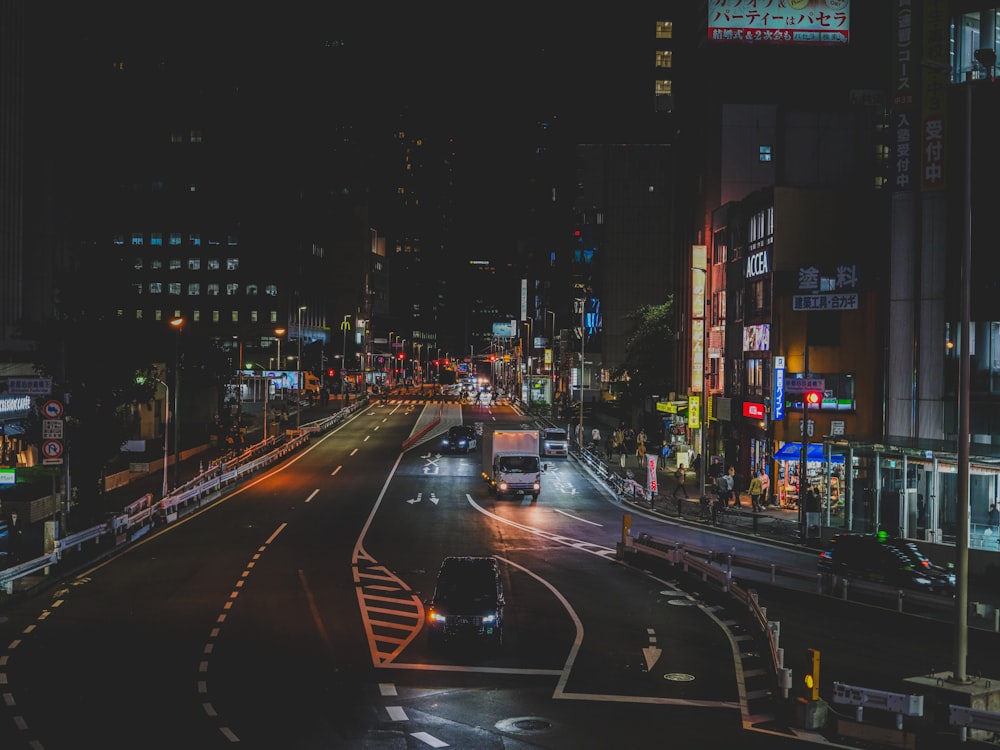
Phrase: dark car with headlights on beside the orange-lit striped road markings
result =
(467, 600)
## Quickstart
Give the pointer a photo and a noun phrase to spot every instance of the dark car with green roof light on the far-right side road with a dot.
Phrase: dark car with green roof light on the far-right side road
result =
(887, 560)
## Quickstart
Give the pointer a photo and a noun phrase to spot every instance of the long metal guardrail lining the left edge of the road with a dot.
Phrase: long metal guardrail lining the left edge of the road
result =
(141, 515)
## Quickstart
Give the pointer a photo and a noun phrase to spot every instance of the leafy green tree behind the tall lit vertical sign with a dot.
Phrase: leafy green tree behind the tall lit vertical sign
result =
(648, 368)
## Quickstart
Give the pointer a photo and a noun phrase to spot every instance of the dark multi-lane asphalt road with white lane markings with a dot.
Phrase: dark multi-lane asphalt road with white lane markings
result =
(290, 615)
